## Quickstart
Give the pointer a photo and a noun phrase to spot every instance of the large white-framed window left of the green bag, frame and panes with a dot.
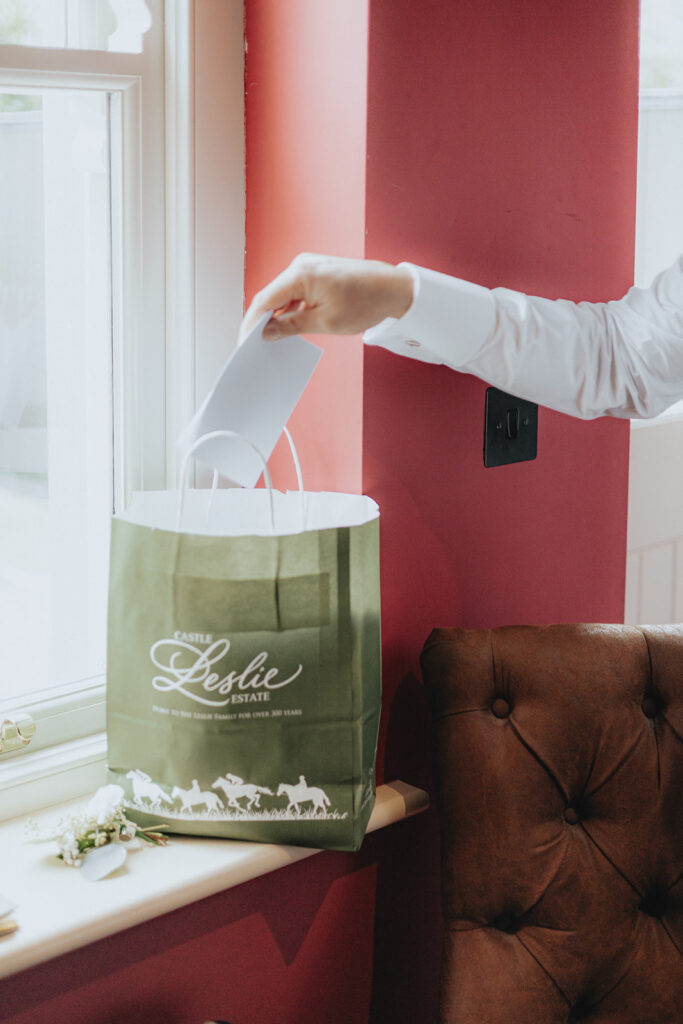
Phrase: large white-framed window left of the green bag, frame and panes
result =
(113, 263)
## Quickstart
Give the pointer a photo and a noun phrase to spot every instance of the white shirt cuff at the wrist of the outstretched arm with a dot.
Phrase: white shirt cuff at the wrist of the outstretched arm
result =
(449, 320)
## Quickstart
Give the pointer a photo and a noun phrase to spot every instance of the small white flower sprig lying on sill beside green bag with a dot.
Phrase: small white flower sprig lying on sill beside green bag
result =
(103, 822)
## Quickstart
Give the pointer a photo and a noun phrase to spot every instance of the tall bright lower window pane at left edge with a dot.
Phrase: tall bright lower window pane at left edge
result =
(56, 387)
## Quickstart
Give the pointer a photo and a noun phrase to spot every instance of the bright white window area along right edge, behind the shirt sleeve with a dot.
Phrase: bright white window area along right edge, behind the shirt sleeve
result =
(655, 565)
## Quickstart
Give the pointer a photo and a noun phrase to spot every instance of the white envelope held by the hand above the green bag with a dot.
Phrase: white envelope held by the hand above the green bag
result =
(255, 395)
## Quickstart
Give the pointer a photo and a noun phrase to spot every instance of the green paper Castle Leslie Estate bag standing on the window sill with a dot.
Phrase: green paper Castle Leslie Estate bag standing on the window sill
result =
(244, 664)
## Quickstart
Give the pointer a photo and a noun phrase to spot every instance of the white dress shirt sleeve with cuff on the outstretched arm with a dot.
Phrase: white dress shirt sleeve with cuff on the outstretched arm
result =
(620, 359)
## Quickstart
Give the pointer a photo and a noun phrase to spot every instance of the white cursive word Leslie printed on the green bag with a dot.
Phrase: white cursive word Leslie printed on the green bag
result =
(172, 657)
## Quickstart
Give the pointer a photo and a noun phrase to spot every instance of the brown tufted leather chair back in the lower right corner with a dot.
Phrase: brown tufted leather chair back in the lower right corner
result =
(560, 756)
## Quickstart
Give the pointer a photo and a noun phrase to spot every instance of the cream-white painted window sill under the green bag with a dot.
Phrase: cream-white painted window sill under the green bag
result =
(59, 911)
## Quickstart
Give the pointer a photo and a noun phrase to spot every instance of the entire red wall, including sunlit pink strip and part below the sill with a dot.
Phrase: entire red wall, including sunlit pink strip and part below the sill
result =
(497, 142)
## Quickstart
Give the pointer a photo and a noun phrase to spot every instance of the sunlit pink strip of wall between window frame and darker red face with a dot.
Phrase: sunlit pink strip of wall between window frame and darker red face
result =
(307, 82)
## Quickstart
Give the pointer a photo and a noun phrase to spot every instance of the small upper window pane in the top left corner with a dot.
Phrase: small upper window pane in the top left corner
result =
(117, 26)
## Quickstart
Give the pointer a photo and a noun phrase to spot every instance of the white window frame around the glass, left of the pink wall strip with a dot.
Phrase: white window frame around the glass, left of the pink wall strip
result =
(178, 301)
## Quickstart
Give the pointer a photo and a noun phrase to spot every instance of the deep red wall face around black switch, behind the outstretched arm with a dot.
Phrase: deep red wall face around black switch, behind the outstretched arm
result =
(501, 149)
